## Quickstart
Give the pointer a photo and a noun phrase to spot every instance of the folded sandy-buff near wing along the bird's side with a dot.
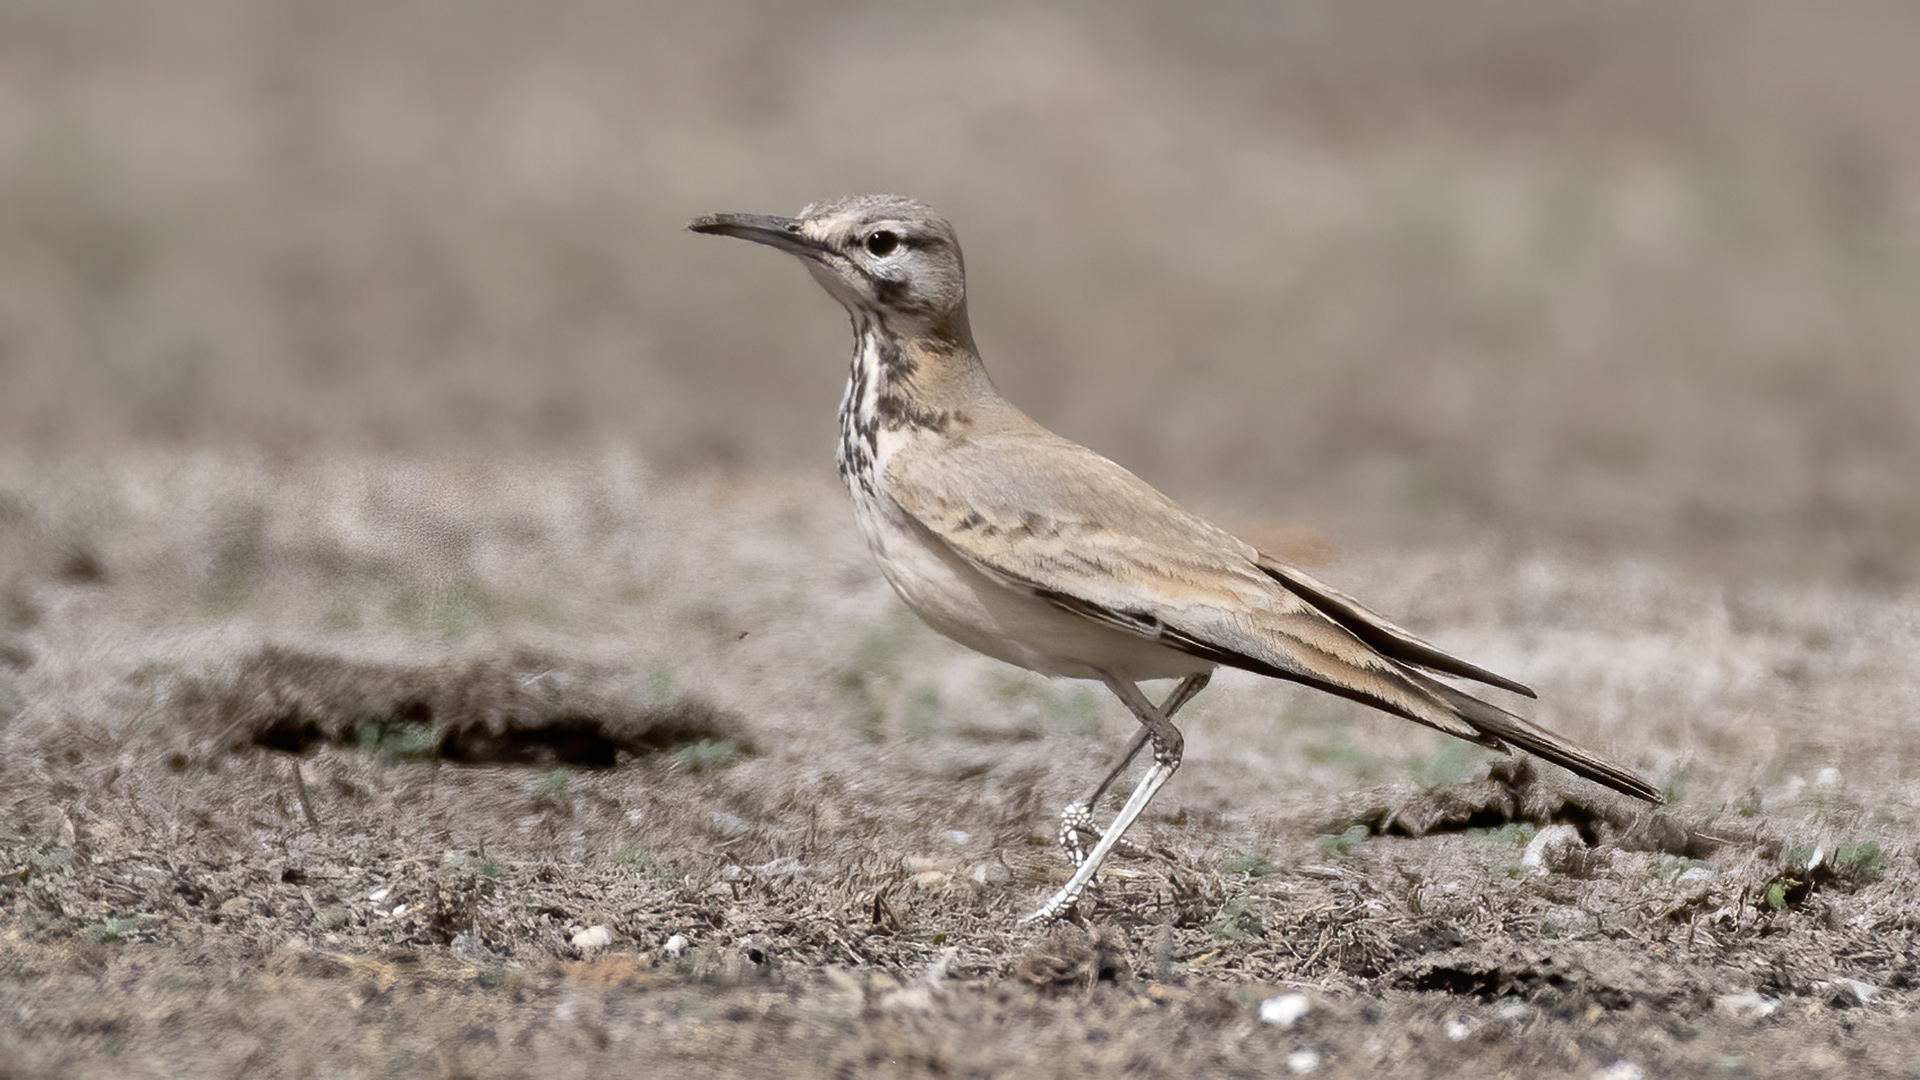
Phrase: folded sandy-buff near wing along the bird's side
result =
(1055, 520)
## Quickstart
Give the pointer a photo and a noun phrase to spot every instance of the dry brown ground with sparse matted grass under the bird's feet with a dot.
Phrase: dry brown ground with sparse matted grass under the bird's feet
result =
(285, 798)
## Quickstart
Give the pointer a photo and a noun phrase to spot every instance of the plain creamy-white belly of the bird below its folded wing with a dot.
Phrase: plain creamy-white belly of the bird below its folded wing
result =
(1005, 624)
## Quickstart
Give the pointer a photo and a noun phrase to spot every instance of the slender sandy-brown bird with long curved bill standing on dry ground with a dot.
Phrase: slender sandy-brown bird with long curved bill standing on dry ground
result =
(1044, 554)
